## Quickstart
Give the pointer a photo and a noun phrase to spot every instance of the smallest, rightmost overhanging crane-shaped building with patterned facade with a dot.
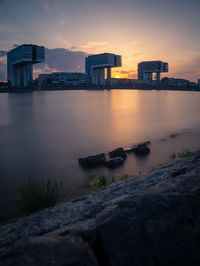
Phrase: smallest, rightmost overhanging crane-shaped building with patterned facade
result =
(147, 68)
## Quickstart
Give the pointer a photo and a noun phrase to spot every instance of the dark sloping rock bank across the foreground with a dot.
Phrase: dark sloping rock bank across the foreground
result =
(151, 220)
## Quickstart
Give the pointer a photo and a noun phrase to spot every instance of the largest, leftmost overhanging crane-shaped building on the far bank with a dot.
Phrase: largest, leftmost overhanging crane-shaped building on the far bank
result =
(20, 64)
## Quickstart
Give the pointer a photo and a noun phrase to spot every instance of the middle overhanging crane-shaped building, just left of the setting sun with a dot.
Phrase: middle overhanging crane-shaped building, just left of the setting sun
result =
(95, 66)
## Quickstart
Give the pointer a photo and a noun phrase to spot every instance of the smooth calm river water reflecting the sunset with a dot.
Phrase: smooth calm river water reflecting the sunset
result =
(43, 134)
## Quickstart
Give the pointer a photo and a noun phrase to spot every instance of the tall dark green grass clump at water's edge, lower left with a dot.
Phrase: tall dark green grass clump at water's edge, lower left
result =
(38, 194)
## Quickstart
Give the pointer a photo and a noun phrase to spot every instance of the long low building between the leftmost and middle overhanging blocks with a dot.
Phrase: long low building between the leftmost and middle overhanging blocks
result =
(71, 78)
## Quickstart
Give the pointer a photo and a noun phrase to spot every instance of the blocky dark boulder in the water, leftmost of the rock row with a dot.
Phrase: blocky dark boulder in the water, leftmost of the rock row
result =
(92, 161)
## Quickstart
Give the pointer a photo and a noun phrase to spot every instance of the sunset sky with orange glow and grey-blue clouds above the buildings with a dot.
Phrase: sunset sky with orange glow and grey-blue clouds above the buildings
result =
(139, 30)
